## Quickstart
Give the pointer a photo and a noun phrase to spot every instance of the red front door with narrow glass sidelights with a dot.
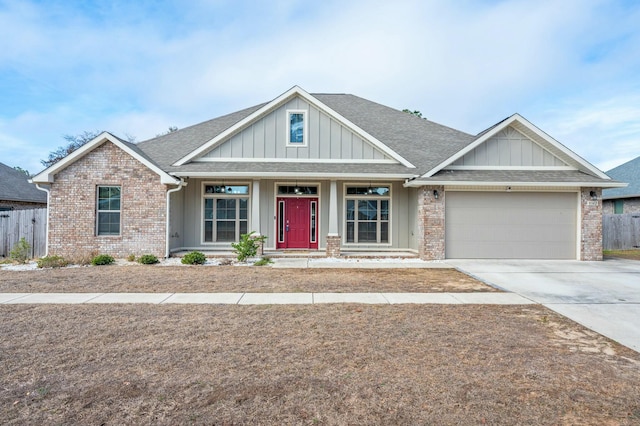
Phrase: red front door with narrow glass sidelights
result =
(297, 223)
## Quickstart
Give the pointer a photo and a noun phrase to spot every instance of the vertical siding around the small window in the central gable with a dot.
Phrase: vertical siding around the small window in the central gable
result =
(267, 138)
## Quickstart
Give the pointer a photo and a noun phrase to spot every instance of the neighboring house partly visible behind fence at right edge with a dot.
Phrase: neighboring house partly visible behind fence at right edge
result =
(623, 200)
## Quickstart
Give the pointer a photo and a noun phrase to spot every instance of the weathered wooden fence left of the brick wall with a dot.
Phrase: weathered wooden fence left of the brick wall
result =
(30, 224)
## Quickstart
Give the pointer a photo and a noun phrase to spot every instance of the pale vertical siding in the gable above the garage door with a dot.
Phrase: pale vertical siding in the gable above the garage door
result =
(509, 148)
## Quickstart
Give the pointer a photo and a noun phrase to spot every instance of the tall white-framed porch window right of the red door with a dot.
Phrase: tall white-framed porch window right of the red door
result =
(367, 214)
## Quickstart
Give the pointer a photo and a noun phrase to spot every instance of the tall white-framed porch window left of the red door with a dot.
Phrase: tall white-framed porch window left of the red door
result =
(225, 212)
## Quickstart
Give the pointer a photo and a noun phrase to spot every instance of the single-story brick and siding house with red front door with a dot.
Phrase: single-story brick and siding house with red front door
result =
(333, 173)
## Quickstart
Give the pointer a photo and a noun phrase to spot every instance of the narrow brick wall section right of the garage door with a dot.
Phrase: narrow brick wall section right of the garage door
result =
(591, 224)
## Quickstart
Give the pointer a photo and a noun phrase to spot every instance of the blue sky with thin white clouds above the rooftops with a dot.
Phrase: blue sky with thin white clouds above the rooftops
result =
(135, 68)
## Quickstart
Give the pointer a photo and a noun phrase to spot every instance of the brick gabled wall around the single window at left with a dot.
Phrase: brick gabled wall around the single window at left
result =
(72, 207)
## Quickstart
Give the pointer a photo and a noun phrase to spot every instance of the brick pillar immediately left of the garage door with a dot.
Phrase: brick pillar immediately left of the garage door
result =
(431, 223)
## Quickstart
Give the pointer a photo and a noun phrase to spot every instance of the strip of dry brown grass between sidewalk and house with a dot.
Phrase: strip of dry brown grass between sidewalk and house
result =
(217, 279)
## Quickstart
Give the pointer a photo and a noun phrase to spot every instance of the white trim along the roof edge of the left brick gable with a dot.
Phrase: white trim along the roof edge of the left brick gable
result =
(48, 175)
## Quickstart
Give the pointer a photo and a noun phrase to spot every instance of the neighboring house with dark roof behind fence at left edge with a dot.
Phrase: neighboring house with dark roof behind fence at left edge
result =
(16, 193)
